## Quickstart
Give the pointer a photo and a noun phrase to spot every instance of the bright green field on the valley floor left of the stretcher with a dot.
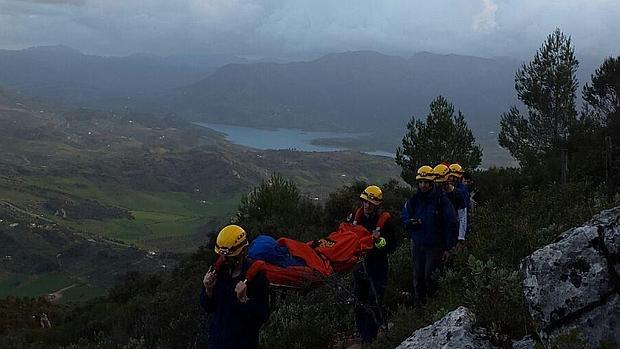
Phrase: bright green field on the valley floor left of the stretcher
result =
(157, 215)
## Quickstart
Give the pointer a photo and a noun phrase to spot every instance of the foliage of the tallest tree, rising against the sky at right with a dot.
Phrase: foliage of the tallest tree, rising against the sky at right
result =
(547, 87)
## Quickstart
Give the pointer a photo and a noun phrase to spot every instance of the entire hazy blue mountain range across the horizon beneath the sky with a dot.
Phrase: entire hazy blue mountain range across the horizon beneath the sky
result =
(350, 91)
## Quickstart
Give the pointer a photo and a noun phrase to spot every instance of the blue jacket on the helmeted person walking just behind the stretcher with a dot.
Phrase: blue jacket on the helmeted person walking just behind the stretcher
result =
(437, 219)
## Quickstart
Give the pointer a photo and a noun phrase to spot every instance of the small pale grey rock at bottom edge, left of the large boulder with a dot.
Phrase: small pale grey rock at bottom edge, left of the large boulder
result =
(454, 330)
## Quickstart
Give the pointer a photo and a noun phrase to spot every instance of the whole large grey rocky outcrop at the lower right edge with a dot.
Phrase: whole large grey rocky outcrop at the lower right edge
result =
(572, 285)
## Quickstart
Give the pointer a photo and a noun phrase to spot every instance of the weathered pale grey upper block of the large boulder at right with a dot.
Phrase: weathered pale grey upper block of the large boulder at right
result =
(563, 277)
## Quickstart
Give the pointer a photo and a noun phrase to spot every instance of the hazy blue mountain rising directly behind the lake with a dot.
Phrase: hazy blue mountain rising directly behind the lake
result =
(352, 90)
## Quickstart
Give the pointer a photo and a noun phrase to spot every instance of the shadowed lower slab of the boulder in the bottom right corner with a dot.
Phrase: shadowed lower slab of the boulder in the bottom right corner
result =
(600, 324)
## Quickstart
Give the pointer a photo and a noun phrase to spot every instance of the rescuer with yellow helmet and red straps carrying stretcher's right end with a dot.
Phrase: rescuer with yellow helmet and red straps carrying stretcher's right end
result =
(370, 277)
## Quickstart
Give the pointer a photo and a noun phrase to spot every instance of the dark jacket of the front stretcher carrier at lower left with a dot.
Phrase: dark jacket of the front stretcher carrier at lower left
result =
(234, 324)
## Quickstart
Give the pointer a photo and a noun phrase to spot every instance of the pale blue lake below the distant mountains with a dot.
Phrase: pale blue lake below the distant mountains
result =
(282, 138)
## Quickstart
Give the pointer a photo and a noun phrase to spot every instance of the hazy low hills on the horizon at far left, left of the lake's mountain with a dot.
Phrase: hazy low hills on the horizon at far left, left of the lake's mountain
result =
(65, 75)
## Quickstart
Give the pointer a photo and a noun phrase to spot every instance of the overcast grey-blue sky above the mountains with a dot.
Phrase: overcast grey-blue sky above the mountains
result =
(309, 28)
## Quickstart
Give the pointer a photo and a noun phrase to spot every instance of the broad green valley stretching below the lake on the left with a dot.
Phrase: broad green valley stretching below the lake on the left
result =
(87, 195)
